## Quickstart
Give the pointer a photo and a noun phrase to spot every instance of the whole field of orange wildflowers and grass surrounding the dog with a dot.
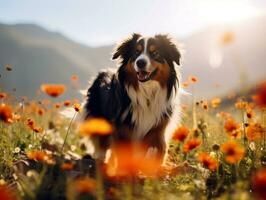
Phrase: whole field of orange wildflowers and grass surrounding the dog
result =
(217, 152)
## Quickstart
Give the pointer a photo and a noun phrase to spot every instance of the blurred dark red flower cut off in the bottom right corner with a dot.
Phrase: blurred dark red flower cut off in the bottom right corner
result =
(259, 184)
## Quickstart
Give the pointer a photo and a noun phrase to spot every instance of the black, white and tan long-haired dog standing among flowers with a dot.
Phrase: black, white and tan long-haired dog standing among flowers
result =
(141, 97)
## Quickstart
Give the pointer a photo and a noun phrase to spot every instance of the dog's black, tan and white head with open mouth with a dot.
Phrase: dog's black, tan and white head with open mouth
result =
(148, 58)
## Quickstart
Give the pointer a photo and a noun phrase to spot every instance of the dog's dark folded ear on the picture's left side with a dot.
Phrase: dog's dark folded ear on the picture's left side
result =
(123, 49)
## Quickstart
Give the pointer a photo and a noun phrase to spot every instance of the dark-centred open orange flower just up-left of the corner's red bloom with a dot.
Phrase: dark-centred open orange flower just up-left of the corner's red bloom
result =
(233, 152)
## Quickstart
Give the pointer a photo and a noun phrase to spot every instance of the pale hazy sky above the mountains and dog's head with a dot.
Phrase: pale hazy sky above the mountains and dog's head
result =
(99, 22)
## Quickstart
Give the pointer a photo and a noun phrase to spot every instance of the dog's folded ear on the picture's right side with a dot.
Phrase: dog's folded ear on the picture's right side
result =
(172, 53)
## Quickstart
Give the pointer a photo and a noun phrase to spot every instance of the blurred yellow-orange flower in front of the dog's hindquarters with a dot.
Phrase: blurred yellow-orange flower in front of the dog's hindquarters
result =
(96, 126)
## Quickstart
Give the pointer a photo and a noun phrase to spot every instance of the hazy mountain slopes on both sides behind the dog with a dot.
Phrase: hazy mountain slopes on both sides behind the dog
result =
(41, 56)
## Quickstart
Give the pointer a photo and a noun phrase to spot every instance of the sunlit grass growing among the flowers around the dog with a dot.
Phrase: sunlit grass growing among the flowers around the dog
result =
(63, 170)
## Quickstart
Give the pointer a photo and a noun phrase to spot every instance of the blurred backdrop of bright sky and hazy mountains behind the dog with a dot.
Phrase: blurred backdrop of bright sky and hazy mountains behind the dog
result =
(223, 41)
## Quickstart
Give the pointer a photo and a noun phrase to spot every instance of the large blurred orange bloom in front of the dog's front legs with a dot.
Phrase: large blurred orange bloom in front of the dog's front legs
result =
(131, 159)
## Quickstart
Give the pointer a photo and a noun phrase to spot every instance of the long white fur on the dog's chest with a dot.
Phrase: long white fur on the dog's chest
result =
(148, 104)
